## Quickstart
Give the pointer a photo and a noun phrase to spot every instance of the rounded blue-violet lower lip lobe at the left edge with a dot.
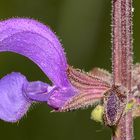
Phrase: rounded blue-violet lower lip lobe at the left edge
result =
(13, 104)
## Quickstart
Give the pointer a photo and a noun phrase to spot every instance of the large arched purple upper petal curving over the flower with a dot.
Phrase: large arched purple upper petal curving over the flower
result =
(37, 42)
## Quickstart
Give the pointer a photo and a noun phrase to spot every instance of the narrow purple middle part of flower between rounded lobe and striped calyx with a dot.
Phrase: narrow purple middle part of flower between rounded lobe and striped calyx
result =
(53, 95)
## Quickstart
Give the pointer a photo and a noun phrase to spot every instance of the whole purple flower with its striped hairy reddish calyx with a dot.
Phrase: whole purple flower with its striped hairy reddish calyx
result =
(70, 89)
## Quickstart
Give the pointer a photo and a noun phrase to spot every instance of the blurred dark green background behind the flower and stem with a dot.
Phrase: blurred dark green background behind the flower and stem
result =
(84, 29)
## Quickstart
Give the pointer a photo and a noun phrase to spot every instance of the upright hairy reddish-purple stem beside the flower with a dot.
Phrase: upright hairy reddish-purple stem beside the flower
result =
(122, 60)
